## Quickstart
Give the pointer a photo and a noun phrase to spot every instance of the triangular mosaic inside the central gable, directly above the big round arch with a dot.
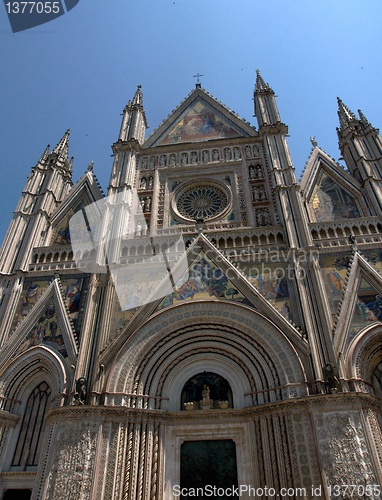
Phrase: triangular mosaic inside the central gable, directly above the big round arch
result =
(205, 281)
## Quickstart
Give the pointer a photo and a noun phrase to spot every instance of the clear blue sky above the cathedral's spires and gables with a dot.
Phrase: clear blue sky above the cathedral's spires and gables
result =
(79, 71)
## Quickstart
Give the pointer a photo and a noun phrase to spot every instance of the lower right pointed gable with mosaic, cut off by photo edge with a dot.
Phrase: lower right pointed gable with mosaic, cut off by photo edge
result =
(361, 303)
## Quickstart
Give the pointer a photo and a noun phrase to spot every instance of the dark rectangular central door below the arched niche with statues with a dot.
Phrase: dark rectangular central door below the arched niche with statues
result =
(209, 463)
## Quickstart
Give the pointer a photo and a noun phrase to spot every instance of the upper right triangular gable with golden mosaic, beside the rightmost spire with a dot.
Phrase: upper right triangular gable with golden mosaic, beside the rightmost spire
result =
(330, 192)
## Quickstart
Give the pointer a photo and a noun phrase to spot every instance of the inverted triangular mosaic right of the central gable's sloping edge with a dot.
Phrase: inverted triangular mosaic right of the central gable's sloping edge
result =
(271, 279)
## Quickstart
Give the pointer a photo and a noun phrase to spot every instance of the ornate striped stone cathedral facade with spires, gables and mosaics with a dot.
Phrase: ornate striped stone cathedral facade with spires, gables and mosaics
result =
(210, 328)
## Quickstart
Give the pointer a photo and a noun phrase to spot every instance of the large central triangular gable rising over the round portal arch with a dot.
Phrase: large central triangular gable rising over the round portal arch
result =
(225, 282)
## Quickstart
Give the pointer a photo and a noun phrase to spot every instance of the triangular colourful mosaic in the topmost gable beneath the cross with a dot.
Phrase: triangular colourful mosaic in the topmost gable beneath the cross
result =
(198, 123)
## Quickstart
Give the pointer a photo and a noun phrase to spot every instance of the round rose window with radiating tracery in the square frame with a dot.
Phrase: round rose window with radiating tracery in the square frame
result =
(202, 201)
